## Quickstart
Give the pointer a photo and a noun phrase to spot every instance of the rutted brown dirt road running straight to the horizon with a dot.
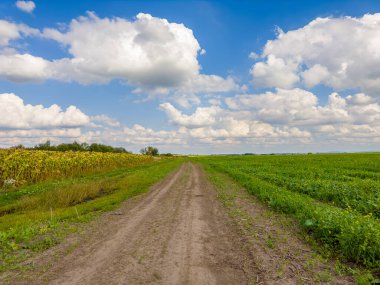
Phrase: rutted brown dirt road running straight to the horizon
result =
(178, 233)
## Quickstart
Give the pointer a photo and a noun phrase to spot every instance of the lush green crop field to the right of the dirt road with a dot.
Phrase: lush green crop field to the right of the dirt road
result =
(334, 197)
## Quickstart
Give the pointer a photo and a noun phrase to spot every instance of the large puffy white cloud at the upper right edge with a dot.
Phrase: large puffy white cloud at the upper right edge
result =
(341, 53)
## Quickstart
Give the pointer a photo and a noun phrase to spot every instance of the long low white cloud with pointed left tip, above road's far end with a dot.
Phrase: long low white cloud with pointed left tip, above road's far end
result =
(216, 125)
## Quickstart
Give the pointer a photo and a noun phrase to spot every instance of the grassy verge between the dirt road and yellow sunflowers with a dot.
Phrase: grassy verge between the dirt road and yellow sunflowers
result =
(33, 222)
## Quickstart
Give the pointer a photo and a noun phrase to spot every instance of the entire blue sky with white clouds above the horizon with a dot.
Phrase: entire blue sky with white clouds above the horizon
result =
(204, 94)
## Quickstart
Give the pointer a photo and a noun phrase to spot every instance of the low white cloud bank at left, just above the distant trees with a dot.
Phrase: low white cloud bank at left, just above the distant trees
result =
(31, 124)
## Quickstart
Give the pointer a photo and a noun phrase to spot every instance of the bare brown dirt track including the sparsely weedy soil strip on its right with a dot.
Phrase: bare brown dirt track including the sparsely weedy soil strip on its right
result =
(182, 233)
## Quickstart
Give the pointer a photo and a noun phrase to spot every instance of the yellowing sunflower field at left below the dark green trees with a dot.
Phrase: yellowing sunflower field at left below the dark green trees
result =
(19, 167)
